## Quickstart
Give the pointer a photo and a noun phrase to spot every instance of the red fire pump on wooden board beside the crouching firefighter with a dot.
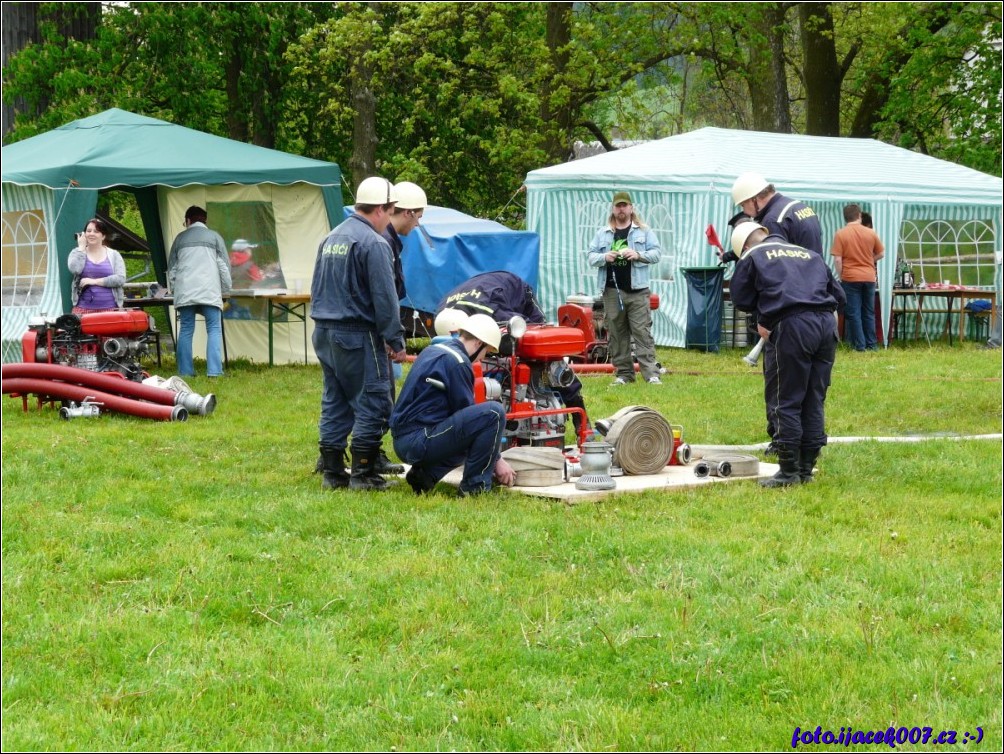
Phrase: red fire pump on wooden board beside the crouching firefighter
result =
(526, 377)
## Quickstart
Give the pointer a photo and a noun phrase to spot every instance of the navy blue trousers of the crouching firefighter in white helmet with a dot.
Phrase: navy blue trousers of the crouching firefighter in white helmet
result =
(471, 438)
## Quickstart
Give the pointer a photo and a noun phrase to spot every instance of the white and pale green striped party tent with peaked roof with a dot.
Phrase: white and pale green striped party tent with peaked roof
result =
(682, 184)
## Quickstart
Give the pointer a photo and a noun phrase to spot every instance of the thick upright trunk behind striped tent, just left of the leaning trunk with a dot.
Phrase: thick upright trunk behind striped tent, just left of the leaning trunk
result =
(822, 71)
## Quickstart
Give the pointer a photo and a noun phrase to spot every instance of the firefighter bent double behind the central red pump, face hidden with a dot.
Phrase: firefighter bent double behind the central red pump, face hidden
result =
(504, 296)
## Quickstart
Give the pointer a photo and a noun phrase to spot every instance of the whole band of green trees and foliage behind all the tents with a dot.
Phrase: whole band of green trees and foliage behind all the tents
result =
(467, 98)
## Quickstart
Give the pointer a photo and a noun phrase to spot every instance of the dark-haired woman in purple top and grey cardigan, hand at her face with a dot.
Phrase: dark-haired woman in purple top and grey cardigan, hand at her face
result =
(99, 273)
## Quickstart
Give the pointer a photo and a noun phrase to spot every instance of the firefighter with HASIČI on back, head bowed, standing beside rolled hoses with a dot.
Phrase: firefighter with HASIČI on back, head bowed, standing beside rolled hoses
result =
(795, 297)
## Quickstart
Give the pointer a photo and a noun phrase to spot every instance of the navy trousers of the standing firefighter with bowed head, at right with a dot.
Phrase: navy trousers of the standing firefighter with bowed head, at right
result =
(799, 362)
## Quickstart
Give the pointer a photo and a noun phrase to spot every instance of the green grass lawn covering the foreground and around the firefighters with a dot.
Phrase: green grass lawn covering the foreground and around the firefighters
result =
(190, 587)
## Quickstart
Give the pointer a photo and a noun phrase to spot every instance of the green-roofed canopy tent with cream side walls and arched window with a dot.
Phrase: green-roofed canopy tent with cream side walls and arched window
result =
(284, 203)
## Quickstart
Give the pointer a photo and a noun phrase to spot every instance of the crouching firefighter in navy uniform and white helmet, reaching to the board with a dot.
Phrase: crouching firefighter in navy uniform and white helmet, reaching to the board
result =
(436, 424)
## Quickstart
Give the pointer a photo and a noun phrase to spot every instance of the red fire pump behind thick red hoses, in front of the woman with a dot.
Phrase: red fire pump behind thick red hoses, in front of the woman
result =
(98, 342)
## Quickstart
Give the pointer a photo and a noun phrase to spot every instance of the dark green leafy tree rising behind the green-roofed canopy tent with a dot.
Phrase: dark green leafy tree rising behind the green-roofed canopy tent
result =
(219, 68)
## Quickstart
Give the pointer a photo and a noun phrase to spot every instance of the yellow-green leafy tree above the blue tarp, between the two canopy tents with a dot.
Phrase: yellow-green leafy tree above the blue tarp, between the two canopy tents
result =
(452, 108)
